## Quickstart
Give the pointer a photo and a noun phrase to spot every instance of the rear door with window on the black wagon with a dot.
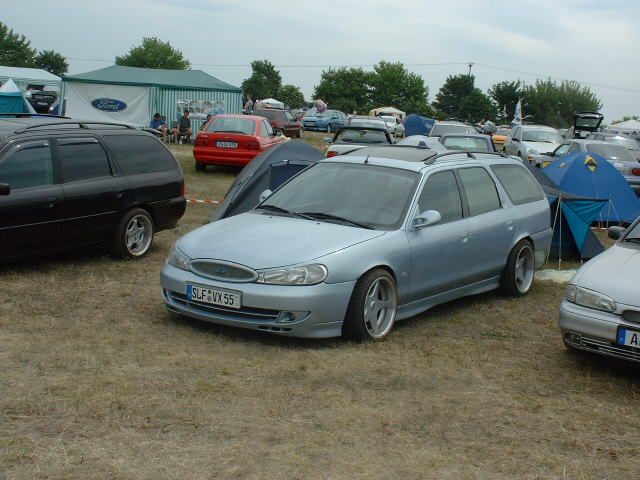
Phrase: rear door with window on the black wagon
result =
(95, 194)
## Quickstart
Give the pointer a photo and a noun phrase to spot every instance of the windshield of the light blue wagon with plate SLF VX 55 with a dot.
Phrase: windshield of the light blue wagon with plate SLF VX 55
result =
(377, 197)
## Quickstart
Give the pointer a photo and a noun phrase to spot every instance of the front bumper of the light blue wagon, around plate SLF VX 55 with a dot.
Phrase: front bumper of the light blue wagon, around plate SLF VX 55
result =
(262, 305)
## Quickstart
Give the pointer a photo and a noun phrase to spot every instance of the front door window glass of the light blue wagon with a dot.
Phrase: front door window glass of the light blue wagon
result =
(441, 193)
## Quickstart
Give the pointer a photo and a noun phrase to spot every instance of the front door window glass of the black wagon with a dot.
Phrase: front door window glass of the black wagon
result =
(27, 167)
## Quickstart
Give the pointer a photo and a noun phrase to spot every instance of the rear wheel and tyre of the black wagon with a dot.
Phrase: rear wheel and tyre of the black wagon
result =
(134, 235)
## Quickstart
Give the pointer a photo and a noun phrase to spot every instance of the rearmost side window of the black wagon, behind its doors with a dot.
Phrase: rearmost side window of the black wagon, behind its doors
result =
(138, 154)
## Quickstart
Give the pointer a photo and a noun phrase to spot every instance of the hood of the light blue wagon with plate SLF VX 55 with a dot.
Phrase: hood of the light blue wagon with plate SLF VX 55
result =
(259, 240)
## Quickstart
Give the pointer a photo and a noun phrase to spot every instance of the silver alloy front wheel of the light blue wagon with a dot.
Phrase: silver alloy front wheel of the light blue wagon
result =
(380, 307)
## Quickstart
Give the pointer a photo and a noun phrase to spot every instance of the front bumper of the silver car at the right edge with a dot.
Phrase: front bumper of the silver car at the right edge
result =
(596, 331)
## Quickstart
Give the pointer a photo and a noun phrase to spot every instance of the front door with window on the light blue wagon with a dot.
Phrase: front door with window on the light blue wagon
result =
(440, 253)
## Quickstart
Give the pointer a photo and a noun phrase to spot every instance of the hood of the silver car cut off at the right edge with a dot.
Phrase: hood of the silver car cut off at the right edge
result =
(614, 273)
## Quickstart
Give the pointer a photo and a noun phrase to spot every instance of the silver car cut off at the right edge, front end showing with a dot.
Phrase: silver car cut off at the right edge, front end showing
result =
(601, 311)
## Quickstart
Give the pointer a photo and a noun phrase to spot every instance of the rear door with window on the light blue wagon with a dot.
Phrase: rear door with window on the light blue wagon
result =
(492, 223)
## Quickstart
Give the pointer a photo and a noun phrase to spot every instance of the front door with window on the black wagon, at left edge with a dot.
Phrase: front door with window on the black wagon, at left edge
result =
(31, 212)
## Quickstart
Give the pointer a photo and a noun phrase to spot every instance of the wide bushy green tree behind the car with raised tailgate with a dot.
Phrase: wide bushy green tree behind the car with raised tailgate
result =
(552, 103)
